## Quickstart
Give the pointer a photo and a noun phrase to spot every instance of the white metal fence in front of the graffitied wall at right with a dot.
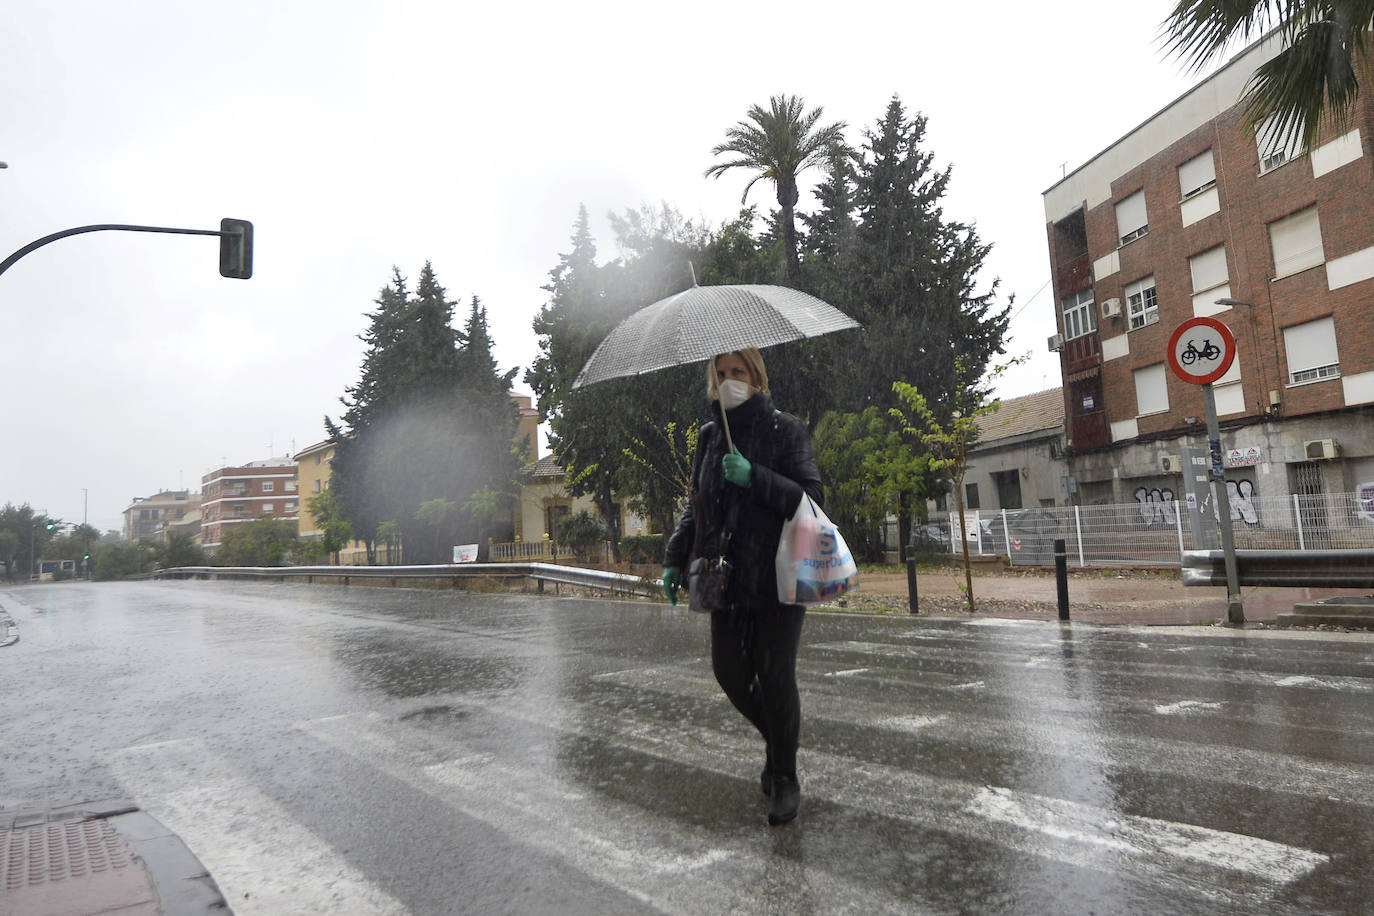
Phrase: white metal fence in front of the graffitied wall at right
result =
(1158, 532)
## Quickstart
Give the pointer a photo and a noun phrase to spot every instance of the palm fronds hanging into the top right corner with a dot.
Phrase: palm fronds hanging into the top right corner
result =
(1327, 43)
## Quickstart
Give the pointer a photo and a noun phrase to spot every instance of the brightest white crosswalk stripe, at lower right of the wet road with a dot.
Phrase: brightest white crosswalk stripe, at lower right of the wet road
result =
(1131, 836)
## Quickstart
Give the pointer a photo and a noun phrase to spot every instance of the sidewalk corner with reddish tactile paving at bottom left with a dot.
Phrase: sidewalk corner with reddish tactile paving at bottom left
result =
(100, 858)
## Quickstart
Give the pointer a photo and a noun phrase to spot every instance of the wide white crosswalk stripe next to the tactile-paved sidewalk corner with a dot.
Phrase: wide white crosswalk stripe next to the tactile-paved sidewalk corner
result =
(263, 860)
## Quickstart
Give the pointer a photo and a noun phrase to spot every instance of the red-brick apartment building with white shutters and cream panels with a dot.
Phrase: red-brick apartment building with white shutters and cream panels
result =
(1188, 209)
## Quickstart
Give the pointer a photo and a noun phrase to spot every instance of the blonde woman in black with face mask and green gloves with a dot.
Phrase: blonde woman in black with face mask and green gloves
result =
(740, 501)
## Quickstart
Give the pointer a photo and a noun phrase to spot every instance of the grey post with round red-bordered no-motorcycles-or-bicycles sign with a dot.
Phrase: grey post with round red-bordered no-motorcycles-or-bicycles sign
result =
(1202, 351)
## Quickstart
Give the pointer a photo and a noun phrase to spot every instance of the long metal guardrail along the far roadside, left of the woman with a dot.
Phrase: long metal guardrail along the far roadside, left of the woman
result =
(613, 583)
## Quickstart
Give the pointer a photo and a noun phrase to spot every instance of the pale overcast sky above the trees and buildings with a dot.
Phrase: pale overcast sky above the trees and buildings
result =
(359, 135)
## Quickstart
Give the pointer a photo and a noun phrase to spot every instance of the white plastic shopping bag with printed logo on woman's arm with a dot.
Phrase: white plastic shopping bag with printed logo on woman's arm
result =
(814, 562)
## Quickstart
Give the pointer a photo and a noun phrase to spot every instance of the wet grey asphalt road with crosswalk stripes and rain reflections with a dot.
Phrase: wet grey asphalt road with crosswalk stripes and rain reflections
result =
(354, 751)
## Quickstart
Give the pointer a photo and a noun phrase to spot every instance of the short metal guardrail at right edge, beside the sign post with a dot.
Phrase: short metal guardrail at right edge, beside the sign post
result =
(1316, 569)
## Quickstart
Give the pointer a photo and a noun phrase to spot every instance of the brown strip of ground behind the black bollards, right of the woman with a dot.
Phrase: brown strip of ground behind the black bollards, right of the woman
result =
(1096, 597)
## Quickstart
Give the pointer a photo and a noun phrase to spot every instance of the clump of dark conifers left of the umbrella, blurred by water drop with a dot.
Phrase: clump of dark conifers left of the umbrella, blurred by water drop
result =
(429, 420)
